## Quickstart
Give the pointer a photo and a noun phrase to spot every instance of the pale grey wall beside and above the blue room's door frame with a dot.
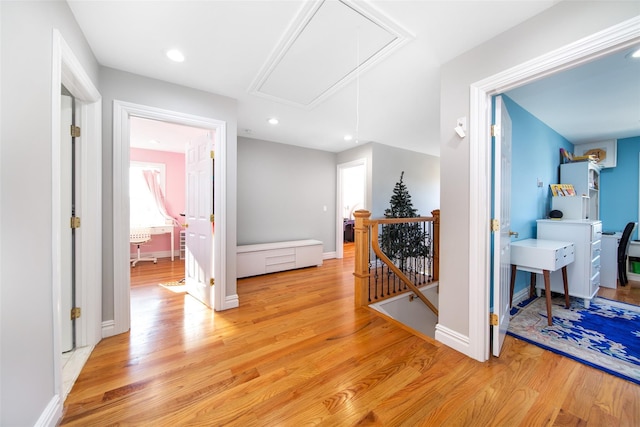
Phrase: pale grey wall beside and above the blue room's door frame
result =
(558, 26)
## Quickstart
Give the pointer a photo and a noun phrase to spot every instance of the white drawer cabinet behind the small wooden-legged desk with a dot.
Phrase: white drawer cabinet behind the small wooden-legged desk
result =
(584, 273)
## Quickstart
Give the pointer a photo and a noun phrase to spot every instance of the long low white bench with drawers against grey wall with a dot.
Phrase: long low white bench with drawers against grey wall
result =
(278, 256)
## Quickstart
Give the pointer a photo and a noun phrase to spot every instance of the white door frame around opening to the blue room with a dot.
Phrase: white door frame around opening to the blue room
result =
(610, 40)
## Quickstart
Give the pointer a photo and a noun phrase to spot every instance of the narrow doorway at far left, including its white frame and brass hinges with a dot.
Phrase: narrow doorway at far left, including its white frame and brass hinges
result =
(85, 331)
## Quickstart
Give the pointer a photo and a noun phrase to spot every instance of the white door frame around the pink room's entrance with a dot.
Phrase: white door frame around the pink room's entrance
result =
(122, 111)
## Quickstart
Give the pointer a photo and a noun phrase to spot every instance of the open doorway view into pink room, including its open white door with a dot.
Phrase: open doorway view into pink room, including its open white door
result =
(164, 192)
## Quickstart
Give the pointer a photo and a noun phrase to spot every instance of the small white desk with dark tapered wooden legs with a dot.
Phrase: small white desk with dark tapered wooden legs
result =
(542, 256)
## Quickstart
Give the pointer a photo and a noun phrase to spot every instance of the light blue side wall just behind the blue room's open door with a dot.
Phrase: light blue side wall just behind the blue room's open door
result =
(535, 157)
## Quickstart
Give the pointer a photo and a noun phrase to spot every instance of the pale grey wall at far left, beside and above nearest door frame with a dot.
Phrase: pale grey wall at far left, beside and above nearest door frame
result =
(27, 371)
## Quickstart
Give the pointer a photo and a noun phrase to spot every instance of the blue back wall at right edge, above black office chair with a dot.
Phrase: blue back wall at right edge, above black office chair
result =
(619, 187)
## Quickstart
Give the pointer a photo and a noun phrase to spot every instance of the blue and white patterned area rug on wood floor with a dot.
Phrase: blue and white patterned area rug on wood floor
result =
(605, 336)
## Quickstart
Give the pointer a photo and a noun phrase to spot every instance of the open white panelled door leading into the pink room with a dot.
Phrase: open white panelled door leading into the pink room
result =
(199, 211)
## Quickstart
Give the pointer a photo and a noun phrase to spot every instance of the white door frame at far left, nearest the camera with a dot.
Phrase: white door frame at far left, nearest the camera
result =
(67, 70)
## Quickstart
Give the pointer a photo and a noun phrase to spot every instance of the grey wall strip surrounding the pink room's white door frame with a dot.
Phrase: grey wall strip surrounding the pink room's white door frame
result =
(127, 87)
